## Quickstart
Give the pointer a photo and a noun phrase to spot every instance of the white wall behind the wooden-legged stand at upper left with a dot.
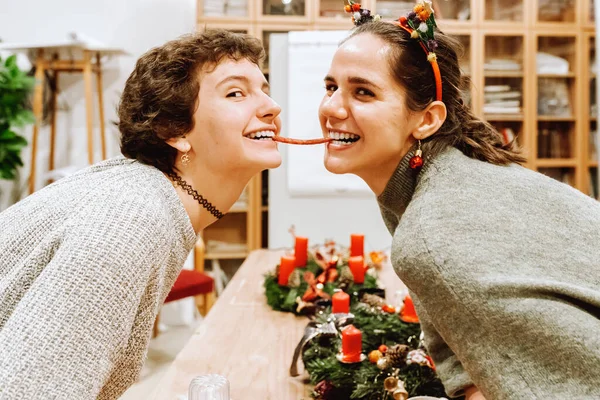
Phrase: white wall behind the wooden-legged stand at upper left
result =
(134, 25)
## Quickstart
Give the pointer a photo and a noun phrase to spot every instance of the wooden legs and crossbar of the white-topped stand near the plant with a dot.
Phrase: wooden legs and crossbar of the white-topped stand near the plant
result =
(54, 66)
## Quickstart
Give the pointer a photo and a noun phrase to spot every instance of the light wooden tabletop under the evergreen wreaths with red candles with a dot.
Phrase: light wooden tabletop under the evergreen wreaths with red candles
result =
(247, 342)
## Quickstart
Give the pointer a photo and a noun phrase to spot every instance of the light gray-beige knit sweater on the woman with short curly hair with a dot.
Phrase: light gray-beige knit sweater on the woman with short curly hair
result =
(85, 265)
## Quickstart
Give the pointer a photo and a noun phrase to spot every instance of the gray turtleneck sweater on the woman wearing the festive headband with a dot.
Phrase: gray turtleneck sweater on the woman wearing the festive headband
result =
(504, 265)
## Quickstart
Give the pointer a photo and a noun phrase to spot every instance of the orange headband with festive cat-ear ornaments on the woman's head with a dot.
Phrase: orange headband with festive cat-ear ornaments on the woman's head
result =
(420, 25)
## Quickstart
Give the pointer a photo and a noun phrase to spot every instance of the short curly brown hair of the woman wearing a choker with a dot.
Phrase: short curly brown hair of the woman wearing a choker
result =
(160, 95)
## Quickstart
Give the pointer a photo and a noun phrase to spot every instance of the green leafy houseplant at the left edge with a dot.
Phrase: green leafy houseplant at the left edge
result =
(15, 112)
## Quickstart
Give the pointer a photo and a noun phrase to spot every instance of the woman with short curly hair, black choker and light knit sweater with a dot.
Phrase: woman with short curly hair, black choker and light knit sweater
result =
(86, 262)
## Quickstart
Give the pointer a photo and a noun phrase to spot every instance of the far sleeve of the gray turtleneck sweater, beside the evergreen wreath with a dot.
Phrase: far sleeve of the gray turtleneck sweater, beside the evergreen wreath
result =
(448, 366)
